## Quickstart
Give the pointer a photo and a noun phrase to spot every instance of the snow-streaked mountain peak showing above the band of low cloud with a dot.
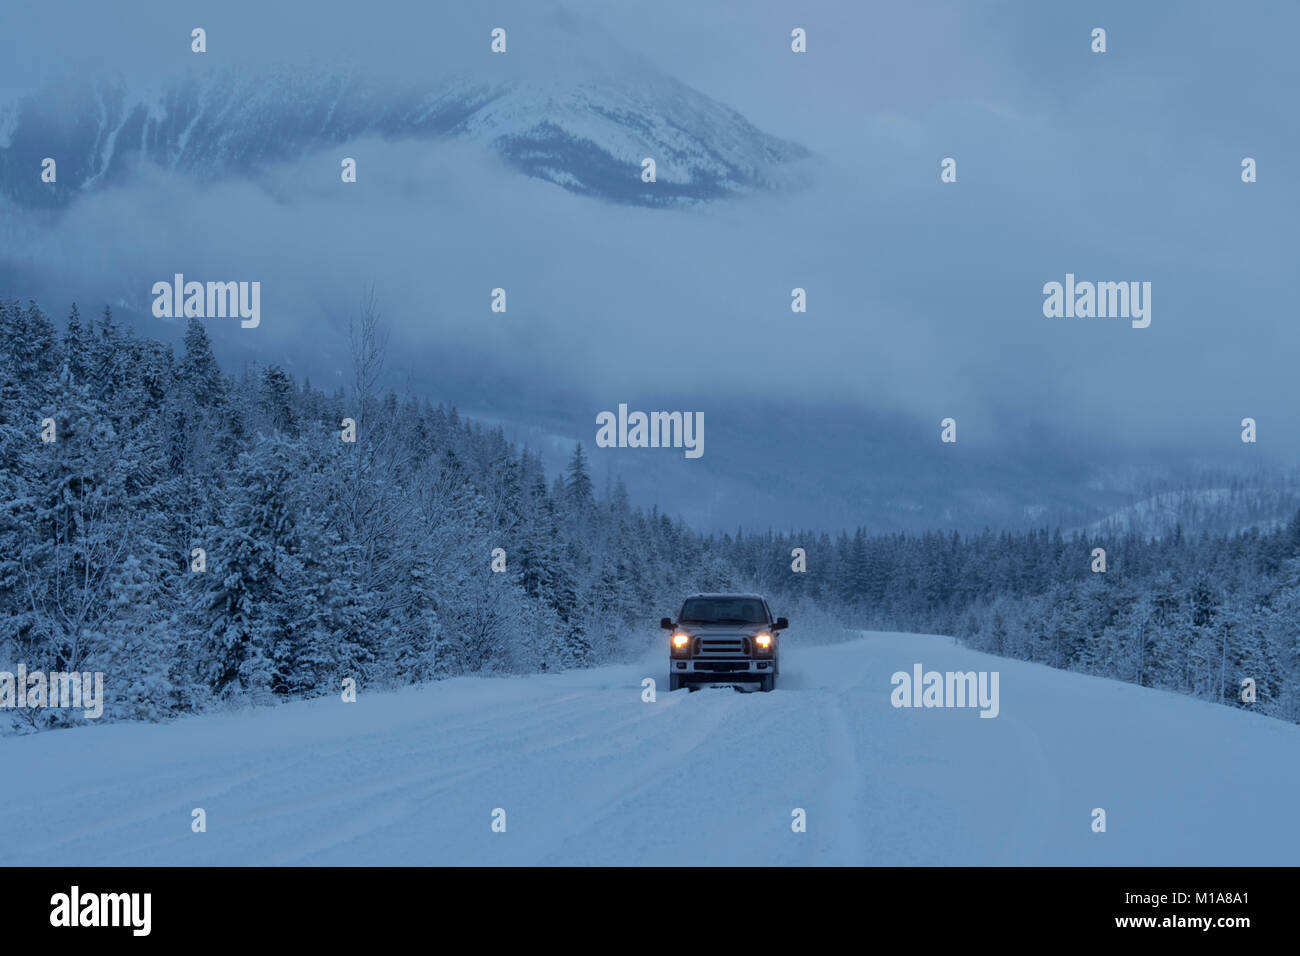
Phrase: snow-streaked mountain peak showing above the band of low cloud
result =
(586, 132)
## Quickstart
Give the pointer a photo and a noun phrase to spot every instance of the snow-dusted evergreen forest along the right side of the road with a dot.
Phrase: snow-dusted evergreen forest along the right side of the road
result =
(1197, 615)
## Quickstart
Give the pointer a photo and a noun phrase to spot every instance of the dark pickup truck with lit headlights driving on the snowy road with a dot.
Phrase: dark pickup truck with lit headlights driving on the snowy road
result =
(725, 639)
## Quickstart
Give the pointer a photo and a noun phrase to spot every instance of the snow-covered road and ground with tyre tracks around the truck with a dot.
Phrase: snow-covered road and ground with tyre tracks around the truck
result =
(590, 775)
